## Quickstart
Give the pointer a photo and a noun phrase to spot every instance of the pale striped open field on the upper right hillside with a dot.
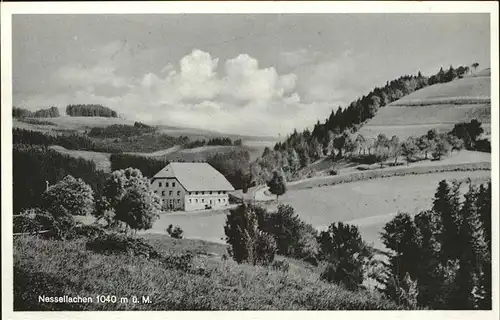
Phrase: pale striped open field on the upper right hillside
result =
(439, 107)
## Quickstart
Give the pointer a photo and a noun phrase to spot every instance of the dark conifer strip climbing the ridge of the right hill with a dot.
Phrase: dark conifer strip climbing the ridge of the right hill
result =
(350, 118)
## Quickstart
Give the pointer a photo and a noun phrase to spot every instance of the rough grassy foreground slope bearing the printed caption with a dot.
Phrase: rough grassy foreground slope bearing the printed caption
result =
(56, 268)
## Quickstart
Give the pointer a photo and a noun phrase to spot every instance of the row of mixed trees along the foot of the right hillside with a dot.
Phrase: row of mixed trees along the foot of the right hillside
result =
(293, 162)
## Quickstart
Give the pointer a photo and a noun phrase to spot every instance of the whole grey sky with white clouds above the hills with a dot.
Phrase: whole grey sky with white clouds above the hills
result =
(258, 74)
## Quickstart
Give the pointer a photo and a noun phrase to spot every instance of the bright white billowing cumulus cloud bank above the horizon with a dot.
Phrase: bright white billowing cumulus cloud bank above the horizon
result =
(236, 95)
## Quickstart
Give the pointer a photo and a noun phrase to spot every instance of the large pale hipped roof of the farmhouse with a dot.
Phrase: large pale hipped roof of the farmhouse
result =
(195, 176)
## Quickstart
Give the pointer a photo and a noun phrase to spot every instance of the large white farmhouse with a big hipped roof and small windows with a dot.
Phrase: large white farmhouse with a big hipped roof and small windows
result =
(191, 186)
